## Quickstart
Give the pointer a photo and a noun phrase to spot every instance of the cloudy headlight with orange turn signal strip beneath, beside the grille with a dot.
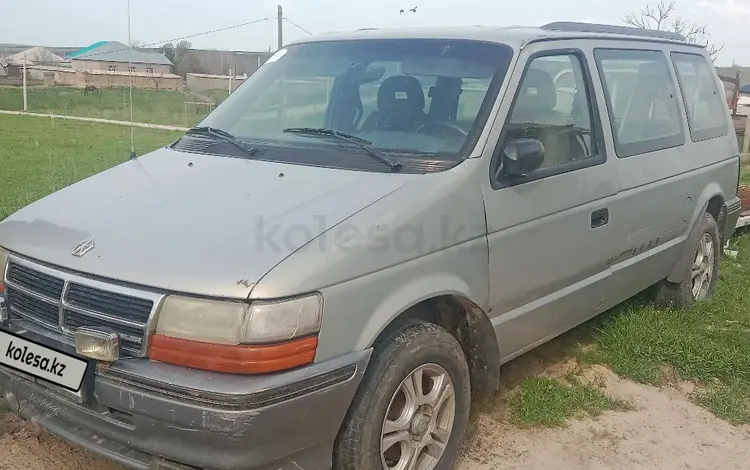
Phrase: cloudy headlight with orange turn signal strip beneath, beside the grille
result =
(236, 337)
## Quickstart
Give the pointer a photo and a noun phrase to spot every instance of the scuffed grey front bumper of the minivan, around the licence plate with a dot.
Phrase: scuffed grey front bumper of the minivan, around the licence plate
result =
(147, 415)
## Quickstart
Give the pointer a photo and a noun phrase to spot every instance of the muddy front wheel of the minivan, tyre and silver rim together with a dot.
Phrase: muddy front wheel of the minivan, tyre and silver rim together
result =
(413, 402)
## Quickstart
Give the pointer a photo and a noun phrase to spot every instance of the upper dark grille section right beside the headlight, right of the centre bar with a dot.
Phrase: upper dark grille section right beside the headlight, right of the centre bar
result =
(110, 303)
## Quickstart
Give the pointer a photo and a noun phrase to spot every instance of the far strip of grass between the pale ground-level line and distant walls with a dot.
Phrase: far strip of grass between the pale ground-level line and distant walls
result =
(149, 106)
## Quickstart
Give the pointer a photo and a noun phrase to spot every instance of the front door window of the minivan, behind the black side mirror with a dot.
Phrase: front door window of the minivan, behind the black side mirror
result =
(553, 106)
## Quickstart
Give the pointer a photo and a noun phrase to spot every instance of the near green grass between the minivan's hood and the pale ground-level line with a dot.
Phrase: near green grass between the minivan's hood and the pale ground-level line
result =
(40, 155)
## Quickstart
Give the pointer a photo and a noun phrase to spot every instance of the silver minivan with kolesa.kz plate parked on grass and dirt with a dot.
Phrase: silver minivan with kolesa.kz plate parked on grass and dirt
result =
(323, 271)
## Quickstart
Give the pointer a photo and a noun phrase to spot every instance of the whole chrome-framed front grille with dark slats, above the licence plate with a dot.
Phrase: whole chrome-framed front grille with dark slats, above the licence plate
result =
(39, 295)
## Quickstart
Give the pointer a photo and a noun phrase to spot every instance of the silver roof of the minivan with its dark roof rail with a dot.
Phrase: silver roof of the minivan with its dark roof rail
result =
(514, 36)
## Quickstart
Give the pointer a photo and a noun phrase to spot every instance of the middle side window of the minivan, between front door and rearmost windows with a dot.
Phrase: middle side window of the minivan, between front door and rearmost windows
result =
(641, 99)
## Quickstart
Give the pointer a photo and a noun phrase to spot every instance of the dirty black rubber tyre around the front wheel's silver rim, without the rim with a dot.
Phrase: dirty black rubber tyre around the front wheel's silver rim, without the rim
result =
(419, 343)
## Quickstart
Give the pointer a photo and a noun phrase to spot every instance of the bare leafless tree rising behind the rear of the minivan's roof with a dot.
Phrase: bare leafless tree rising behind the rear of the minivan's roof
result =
(663, 17)
